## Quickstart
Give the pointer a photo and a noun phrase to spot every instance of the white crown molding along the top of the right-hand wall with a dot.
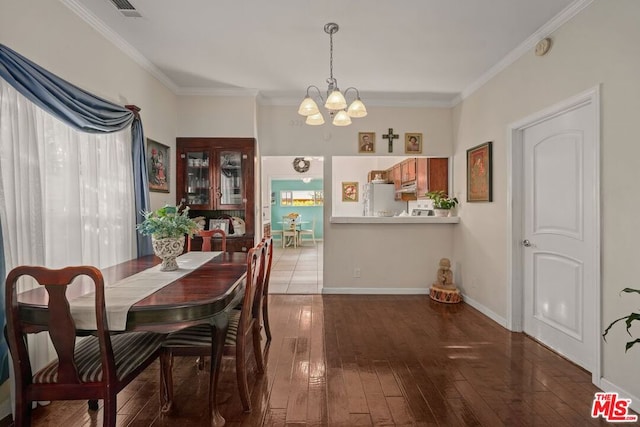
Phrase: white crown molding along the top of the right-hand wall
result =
(556, 22)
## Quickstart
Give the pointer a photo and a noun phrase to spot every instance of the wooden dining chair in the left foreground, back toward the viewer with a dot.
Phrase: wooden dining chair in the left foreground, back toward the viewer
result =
(95, 367)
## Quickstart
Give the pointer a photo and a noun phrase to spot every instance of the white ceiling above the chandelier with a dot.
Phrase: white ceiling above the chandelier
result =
(416, 51)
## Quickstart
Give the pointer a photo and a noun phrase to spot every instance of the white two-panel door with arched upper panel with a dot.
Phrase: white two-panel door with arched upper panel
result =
(559, 239)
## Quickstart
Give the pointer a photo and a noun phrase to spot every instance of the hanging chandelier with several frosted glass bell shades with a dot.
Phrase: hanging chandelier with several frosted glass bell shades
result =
(336, 103)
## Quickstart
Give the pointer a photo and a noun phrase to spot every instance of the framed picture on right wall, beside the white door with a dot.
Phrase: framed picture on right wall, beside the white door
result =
(479, 170)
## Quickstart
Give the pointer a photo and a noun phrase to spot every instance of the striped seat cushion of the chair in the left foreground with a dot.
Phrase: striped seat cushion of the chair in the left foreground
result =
(130, 349)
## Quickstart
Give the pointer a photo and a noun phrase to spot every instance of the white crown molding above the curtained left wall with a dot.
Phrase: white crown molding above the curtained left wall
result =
(79, 9)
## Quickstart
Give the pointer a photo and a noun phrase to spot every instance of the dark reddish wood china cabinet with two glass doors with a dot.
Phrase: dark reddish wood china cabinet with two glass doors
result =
(215, 178)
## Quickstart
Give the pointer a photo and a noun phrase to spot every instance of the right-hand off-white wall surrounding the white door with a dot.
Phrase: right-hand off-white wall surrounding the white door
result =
(597, 47)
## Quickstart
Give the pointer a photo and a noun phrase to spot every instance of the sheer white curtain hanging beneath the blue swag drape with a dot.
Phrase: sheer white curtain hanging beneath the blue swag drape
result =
(66, 197)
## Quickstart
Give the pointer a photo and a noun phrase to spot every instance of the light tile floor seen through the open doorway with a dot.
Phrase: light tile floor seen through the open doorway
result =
(296, 270)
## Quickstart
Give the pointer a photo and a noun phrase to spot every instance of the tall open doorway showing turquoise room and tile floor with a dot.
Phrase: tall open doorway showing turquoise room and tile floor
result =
(294, 185)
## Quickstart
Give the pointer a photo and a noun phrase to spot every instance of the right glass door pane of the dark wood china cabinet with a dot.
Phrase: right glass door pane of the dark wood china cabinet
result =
(230, 185)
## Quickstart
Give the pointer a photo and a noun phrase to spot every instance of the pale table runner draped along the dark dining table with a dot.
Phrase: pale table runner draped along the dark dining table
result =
(121, 295)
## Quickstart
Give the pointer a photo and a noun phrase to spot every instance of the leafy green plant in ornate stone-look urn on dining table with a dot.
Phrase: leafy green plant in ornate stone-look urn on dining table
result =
(167, 227)
